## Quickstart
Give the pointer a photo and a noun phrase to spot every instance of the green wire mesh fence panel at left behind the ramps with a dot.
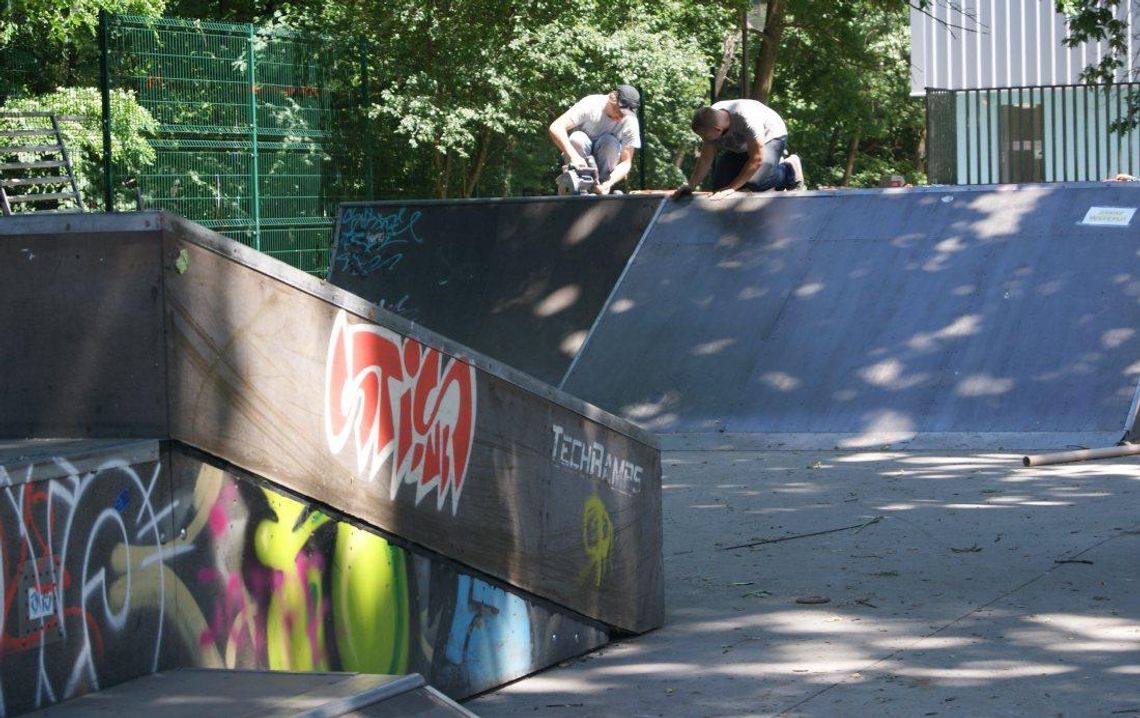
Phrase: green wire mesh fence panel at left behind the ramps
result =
(247, 120)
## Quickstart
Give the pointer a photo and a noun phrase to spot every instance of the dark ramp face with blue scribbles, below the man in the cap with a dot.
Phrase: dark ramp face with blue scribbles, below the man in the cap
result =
(520, 281)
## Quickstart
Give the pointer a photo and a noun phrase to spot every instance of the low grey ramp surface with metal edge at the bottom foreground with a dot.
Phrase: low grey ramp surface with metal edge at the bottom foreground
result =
(193, 693)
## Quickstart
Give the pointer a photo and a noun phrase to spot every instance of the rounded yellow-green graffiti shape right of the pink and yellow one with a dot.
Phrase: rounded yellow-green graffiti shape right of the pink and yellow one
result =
(370, 602)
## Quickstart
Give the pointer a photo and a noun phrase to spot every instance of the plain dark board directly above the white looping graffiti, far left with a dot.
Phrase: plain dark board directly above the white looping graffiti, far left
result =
(79, 323)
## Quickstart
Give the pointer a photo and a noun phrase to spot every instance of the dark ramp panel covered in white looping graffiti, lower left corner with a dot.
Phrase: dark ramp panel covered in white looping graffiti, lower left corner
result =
(83, 582)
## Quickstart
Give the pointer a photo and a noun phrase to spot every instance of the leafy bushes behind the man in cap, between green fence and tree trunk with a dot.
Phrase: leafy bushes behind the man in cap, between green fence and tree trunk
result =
(461, 93)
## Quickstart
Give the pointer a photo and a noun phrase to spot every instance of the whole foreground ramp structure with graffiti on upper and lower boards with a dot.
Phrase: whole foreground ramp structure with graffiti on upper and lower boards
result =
(307, 460)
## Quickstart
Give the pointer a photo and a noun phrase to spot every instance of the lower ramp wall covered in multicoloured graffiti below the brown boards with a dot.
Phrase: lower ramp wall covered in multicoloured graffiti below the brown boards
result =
(127, 568)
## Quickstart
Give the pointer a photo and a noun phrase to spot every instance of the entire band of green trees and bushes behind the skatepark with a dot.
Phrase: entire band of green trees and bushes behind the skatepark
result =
(453, 97)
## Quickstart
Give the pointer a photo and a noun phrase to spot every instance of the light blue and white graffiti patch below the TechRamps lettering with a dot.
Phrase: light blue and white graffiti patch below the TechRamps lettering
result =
(491, 633)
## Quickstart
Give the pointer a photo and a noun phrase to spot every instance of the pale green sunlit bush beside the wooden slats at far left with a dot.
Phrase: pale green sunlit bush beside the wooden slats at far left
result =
(84, 138)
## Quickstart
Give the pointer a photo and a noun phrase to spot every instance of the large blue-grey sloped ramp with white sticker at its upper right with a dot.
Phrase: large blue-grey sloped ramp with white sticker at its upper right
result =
(877, 316)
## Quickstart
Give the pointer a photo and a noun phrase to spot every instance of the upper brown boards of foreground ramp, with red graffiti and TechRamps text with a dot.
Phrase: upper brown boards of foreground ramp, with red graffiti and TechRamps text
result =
(352, 406)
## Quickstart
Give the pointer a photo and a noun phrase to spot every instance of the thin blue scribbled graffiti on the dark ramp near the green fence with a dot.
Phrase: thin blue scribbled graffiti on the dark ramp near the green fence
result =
(373, 241)
